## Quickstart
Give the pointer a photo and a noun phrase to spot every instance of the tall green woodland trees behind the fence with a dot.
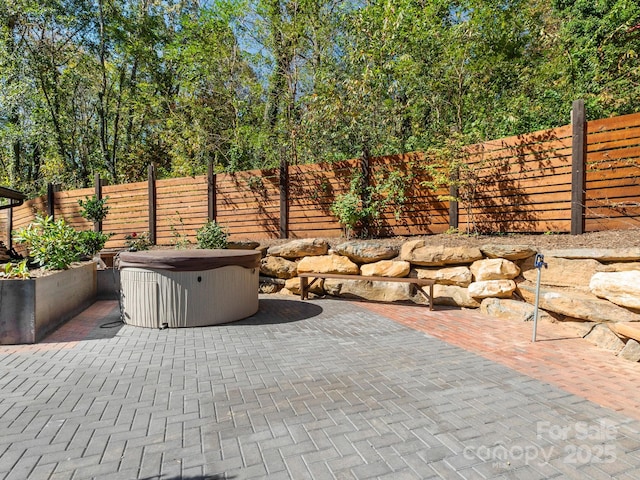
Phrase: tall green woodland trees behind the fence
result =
(110, 86)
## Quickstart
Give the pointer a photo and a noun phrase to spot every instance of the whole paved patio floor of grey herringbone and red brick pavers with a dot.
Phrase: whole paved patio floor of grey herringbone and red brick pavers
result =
(323, 389)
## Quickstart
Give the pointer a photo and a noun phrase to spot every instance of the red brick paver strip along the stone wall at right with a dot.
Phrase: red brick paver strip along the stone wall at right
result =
(559, 356)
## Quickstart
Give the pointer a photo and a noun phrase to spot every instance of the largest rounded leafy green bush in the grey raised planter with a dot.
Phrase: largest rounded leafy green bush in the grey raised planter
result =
(54, 245)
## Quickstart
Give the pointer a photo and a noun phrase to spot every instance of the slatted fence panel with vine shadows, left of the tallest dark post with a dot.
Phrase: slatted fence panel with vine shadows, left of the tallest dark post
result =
(523, 183)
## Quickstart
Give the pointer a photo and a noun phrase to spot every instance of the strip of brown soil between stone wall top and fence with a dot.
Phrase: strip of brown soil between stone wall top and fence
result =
(606, 239)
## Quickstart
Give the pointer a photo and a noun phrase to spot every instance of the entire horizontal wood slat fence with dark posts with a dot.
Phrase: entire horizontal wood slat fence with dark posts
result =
(576, 178)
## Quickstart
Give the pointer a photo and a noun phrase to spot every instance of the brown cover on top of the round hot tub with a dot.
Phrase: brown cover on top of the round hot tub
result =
(190, 260)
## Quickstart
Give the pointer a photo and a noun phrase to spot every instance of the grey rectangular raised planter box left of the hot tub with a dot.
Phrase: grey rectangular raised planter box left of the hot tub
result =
(31, 309)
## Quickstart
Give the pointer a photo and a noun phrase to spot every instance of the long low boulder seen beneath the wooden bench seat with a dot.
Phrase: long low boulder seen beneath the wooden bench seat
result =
(375, 291)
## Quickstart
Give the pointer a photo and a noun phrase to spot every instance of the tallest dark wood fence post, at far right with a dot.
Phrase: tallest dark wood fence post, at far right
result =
(578, 162)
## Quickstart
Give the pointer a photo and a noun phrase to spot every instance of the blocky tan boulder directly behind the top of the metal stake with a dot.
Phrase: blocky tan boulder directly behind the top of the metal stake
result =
(561, 272)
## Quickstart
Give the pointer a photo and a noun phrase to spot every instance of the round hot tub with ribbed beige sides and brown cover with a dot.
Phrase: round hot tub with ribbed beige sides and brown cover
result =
(188, 288)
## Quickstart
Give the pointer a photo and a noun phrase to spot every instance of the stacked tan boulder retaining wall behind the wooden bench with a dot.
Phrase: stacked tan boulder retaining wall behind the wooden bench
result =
(597, 291)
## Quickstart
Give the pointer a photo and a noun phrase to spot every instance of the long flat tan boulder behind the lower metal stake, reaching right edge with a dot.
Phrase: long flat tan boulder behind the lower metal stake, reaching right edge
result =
(572, 303)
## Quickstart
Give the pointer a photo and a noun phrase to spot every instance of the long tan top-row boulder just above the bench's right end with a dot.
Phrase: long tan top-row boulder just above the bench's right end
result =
(418, 252)
